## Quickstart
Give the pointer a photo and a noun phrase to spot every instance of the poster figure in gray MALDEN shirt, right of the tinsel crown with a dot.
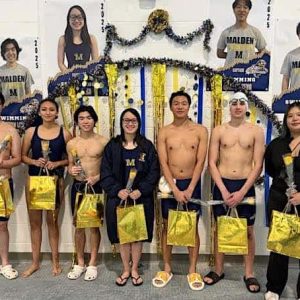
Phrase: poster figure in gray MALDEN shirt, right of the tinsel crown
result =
(241, 39)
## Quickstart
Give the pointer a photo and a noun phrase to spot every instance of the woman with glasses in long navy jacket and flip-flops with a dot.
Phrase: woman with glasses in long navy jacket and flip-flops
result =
(126, 151)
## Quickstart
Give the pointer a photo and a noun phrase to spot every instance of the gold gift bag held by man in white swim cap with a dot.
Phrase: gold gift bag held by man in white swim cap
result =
(232, 234)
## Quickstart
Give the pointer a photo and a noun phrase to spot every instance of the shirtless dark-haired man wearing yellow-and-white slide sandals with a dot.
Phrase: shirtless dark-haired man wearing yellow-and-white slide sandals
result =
(182, 147)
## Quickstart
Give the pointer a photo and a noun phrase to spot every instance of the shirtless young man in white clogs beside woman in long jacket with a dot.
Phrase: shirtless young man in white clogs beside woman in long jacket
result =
(89, 147)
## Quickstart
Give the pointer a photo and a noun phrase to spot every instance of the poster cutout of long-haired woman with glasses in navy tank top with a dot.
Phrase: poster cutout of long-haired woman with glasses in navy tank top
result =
(76, 44)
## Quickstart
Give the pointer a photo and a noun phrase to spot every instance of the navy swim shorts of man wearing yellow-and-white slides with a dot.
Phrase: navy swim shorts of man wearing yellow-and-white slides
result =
(171, 203)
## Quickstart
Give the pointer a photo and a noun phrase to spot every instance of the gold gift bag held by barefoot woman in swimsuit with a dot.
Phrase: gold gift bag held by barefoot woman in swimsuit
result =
(42, 192)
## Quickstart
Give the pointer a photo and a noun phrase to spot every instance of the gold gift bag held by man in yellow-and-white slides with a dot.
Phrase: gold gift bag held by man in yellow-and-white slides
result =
(181, 228)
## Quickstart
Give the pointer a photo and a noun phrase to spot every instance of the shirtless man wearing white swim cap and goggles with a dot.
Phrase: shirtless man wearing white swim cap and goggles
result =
(235, 161)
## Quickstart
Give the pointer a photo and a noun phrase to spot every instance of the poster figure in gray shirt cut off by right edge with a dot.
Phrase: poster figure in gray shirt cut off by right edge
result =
(291, 67)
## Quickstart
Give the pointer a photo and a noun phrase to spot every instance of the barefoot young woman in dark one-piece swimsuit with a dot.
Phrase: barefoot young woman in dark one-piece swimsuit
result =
(57, 136)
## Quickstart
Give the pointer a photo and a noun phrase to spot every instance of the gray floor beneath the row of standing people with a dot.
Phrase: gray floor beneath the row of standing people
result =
(42, 285)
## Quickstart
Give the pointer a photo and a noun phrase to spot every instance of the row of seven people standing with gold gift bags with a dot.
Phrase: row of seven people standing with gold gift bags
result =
(235, 160)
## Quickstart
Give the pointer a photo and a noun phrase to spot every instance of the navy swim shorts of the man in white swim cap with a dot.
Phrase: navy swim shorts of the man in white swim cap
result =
(244, 210)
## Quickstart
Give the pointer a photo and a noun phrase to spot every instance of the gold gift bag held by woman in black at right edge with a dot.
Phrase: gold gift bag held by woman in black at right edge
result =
(284, 234)
